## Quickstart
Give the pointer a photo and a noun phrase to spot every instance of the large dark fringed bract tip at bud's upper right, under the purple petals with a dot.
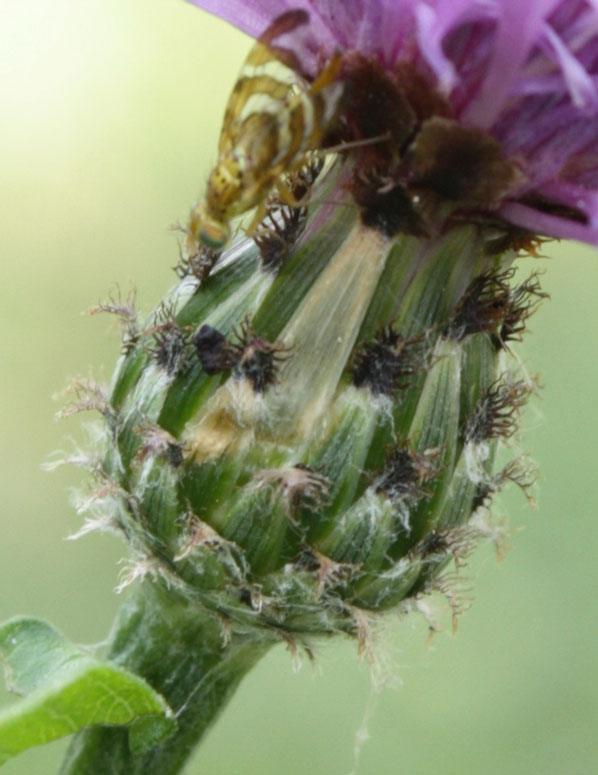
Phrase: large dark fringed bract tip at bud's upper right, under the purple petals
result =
(483, 307)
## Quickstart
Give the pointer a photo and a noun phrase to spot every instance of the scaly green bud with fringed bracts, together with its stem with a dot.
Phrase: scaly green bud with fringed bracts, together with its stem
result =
(301, 437)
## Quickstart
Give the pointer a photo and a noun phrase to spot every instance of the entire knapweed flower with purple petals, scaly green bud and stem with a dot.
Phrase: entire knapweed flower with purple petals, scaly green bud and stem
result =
(303, 434)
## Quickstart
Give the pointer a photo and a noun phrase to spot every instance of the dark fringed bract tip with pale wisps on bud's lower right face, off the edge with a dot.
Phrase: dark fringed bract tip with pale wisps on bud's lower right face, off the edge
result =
(405, 474)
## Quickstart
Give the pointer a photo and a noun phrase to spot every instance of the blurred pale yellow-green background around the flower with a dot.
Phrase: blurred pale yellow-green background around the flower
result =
(109, 121)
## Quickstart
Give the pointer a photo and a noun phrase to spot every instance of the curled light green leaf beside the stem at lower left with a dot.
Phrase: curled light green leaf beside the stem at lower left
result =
(67, 688)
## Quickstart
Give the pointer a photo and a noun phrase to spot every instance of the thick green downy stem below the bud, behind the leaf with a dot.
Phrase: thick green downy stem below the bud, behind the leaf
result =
(187, 655)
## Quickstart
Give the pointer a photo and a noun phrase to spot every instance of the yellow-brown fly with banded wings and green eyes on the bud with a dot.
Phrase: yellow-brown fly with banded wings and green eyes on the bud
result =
(271, 123)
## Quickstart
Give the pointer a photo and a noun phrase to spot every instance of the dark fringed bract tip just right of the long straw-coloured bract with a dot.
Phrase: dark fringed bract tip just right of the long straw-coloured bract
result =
(386, 364)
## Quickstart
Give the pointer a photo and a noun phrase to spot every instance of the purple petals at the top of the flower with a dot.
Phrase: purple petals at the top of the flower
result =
(526, 72)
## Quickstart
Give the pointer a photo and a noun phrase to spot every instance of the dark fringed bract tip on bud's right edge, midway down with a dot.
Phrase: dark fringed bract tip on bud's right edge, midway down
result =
(497, 412)
